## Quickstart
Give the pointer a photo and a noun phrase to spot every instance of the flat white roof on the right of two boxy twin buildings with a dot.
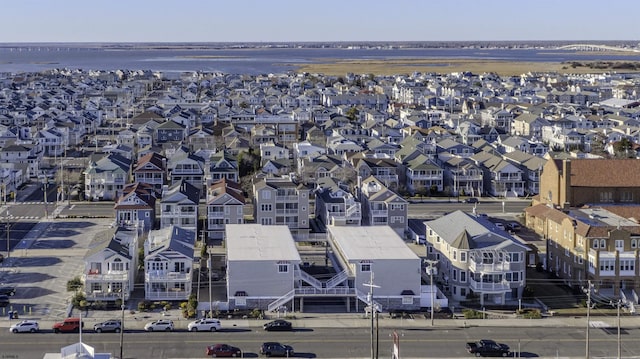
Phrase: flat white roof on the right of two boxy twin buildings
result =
(370, 242)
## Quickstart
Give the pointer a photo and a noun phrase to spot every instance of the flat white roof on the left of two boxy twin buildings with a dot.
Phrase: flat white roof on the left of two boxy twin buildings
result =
(255, 242)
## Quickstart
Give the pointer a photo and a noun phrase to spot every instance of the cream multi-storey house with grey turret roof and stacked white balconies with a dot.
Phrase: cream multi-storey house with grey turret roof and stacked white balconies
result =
(476, 260)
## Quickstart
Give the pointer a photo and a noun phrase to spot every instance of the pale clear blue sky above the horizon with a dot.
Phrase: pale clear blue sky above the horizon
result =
(318, 20)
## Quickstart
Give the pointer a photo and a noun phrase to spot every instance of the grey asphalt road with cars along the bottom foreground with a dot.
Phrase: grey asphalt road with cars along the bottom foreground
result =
(424, 342)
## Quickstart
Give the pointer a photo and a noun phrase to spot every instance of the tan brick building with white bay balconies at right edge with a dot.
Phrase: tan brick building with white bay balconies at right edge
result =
(590, 244)
